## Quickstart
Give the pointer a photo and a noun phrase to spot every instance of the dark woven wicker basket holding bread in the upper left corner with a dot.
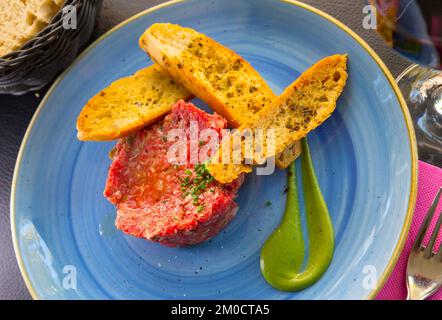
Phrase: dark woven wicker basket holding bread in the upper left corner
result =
(39, 60)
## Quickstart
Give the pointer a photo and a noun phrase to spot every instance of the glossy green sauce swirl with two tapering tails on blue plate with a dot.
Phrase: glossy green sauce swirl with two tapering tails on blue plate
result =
(283, 253)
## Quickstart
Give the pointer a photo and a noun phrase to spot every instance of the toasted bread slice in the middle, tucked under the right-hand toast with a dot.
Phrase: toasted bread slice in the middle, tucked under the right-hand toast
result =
(214, 73)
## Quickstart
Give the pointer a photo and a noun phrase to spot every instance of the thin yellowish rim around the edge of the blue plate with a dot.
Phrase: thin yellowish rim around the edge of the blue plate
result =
(412, 138)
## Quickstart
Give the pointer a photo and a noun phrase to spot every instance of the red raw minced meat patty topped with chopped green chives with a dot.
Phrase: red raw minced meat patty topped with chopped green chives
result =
(175, 205)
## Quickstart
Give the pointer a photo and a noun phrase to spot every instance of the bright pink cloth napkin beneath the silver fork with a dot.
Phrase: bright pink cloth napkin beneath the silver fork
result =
(430, 180)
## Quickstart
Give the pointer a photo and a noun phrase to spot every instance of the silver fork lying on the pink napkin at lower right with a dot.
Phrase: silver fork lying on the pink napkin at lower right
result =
(424, 269)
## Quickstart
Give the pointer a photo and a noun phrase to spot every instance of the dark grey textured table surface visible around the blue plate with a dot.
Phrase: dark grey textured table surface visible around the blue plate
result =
(16, 112)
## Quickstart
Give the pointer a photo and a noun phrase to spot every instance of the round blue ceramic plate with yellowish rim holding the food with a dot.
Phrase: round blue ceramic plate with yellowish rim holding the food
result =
(364, 155)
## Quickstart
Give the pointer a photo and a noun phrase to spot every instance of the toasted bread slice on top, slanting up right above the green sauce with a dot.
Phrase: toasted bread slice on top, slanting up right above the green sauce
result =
(302, 107)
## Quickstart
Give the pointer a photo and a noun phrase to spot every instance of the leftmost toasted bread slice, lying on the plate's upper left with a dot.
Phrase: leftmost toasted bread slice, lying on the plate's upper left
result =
(129, 104)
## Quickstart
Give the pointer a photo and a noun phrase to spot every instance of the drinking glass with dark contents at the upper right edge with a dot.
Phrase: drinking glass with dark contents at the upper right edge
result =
(414, 29)
